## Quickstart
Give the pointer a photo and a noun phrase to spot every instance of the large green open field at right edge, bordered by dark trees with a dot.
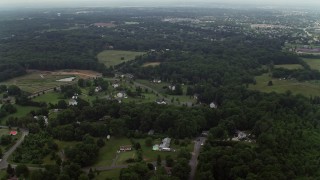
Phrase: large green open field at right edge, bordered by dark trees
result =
(311, 88)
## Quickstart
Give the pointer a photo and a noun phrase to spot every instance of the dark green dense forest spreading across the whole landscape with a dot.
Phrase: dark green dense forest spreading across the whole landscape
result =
(216, 63)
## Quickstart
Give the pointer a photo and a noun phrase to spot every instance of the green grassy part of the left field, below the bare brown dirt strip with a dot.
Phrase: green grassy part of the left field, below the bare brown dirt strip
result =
(37, 81)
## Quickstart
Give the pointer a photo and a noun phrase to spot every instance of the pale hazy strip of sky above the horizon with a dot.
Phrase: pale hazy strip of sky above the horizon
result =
(114, 3)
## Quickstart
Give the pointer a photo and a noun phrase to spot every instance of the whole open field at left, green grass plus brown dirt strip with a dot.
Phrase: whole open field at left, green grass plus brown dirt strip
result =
(37, 81)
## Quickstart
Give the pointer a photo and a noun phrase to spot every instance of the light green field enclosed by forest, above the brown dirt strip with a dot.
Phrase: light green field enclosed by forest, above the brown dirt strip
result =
(113, 57)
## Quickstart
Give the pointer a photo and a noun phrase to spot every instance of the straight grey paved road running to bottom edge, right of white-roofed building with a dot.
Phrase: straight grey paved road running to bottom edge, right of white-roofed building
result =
(194, 159)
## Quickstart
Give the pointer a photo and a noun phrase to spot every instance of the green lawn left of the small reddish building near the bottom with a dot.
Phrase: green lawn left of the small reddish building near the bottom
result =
(108, 152)
